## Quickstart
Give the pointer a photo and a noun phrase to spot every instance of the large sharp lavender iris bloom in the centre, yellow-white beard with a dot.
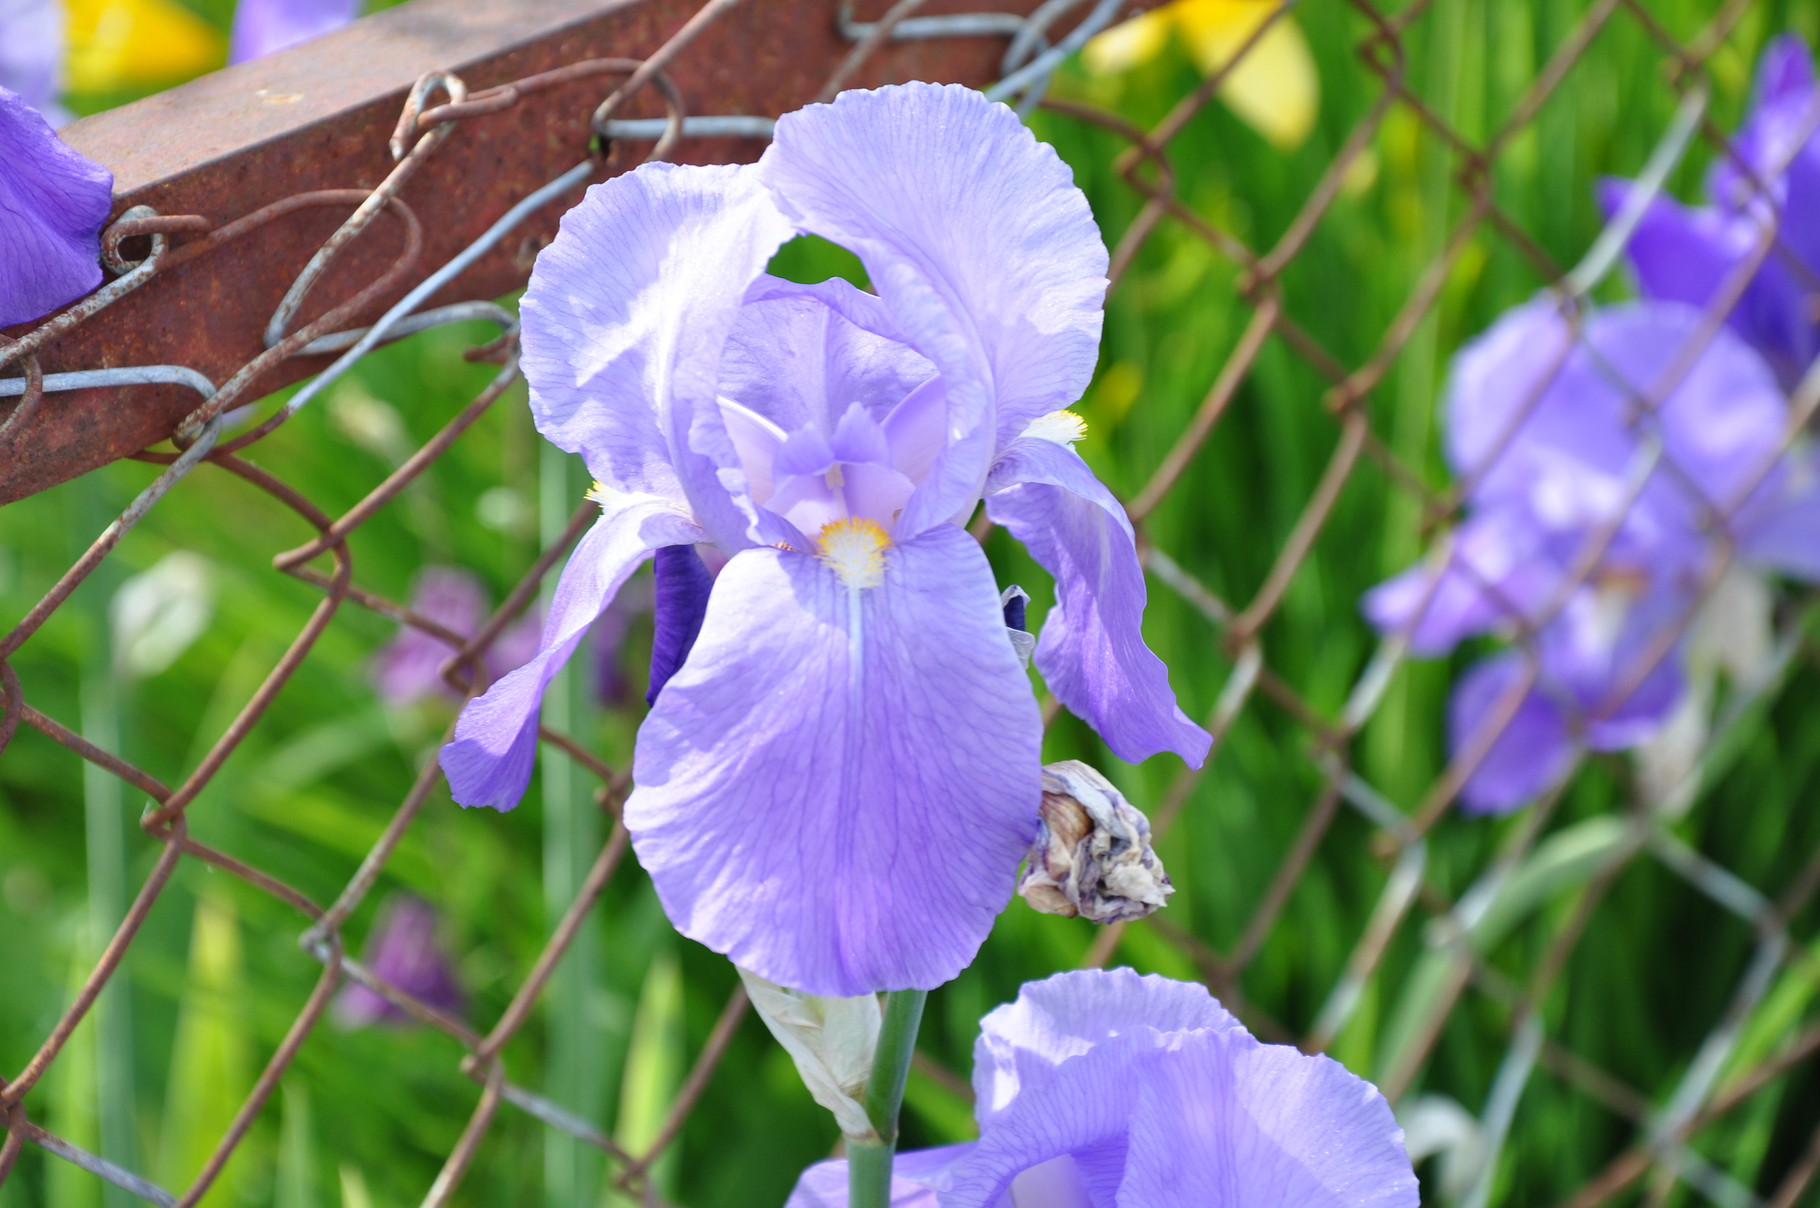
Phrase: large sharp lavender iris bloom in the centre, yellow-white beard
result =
(838, 783)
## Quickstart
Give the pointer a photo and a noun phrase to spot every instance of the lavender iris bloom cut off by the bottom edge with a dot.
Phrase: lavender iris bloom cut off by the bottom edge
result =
(1111, 1091)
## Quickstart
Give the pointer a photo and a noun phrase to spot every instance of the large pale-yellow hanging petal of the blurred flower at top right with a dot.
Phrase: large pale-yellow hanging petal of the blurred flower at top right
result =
(1275, 88)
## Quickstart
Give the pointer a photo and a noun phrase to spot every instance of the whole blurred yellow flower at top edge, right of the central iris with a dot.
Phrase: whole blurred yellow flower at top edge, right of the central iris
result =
(1275, 88)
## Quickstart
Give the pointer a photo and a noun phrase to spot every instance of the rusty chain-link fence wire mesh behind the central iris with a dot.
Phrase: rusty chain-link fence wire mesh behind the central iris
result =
(1668, 1118)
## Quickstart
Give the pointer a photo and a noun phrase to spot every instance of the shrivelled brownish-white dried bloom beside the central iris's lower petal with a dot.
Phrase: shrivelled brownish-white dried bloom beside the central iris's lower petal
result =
(1093, 856)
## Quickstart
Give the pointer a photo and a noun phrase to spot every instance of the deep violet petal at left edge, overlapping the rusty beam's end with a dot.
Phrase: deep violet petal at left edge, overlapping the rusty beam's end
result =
(54, 205)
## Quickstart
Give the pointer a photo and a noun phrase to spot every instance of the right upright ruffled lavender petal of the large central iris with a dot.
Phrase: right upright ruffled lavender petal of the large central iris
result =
(976, 239)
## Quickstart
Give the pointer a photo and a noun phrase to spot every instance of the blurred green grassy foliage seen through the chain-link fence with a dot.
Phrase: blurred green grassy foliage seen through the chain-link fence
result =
(369, 1116)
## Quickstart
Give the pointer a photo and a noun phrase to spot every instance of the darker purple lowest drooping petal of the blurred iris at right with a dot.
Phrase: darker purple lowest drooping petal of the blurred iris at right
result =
(1528, 756)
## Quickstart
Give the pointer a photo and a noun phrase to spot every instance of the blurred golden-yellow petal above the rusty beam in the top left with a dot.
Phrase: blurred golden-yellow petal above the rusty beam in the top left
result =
(125, 45)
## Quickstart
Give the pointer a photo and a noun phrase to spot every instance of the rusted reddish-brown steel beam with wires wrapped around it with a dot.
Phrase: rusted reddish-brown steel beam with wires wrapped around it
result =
(319, 116)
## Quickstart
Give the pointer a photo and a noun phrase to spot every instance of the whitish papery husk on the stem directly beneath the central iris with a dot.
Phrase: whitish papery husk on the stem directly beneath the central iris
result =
(833, 1043)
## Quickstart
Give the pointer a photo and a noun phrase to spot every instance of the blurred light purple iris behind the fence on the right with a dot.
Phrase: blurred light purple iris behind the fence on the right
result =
(1555, 445)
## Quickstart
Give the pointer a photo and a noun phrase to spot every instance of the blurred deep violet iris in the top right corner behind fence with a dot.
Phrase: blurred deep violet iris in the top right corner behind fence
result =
(1690, 254)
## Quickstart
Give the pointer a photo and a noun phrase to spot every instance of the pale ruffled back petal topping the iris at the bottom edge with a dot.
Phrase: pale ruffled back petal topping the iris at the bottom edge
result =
(1069, 1014)
